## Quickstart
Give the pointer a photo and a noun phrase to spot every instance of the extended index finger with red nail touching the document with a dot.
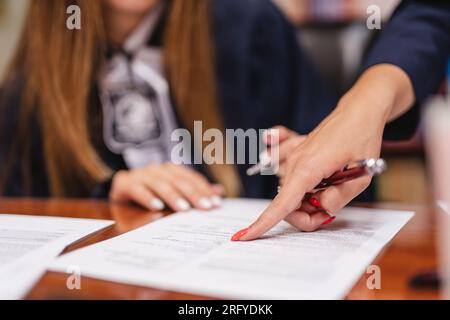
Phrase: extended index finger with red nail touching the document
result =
(288, 200)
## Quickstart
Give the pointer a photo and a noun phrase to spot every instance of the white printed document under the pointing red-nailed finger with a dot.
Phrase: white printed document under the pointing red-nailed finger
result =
(192, 252)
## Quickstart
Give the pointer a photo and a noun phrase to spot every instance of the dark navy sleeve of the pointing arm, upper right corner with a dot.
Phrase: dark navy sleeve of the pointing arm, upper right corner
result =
(417, 39)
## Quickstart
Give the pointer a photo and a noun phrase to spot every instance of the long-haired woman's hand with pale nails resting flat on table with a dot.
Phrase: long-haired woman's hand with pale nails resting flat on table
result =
(158, 185)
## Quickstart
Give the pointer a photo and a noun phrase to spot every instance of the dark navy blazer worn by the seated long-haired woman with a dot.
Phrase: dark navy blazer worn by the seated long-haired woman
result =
(263, 78)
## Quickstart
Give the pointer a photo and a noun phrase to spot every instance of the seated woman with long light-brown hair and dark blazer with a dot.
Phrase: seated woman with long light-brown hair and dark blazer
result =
(89, 112)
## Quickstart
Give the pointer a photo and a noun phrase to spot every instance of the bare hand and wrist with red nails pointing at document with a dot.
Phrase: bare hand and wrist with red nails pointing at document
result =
(352, 132)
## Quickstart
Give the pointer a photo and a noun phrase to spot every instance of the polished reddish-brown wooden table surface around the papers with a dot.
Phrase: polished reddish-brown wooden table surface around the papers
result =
(411, 251)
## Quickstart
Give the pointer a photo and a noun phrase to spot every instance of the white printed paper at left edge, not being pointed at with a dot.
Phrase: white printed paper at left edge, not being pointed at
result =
(28, 244)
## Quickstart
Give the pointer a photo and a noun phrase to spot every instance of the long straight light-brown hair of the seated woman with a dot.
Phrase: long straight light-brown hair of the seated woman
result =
(61, 65)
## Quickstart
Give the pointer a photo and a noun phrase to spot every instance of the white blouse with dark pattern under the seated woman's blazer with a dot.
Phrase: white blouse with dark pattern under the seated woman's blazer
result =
(138, 116)
